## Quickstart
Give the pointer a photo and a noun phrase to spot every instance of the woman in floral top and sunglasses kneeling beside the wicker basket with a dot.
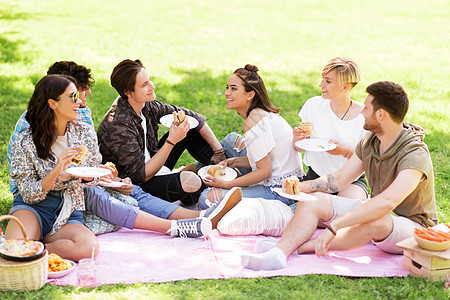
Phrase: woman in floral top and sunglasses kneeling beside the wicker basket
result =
(50, 201)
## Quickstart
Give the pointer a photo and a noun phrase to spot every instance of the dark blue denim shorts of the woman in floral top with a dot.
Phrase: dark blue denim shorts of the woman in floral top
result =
(46, 211)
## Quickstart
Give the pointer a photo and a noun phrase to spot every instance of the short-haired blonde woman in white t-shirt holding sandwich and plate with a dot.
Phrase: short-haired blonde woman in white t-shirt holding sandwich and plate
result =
(335, 118)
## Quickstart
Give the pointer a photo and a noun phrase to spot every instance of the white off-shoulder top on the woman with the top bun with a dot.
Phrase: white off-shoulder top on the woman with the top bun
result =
(273, 135)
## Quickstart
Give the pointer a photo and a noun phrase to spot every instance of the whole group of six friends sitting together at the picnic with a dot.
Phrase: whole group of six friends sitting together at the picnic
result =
(371, 141)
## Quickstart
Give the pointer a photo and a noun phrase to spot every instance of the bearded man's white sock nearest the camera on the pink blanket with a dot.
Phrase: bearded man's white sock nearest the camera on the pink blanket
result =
(273, 259)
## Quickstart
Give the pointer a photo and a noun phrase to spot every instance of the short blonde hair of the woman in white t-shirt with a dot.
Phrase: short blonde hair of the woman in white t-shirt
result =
(347, 70)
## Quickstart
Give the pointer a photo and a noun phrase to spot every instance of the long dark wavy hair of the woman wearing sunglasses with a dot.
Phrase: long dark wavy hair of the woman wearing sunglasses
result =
(41, 117)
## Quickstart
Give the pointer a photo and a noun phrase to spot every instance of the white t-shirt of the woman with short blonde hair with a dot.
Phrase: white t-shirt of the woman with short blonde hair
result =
(328, 126)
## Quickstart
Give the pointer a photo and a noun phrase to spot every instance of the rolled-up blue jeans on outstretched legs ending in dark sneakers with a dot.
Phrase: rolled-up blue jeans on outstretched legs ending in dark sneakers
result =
(117, 212)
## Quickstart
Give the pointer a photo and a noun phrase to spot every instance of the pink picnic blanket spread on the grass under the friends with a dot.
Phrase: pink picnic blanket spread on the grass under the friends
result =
(130, 256)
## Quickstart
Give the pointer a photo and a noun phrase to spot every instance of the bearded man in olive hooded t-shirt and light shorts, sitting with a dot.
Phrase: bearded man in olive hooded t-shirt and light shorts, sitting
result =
(399, 170)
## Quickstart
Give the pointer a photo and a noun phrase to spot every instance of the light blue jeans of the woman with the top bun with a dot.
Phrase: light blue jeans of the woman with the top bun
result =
(256, 191)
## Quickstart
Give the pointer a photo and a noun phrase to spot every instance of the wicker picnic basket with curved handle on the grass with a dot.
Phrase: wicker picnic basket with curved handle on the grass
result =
(23, 275)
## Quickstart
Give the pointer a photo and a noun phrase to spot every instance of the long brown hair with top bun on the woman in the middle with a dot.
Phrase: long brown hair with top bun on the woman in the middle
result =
(253, 82)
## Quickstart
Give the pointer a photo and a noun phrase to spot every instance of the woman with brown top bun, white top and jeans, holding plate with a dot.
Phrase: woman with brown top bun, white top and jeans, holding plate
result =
(268, 141)
